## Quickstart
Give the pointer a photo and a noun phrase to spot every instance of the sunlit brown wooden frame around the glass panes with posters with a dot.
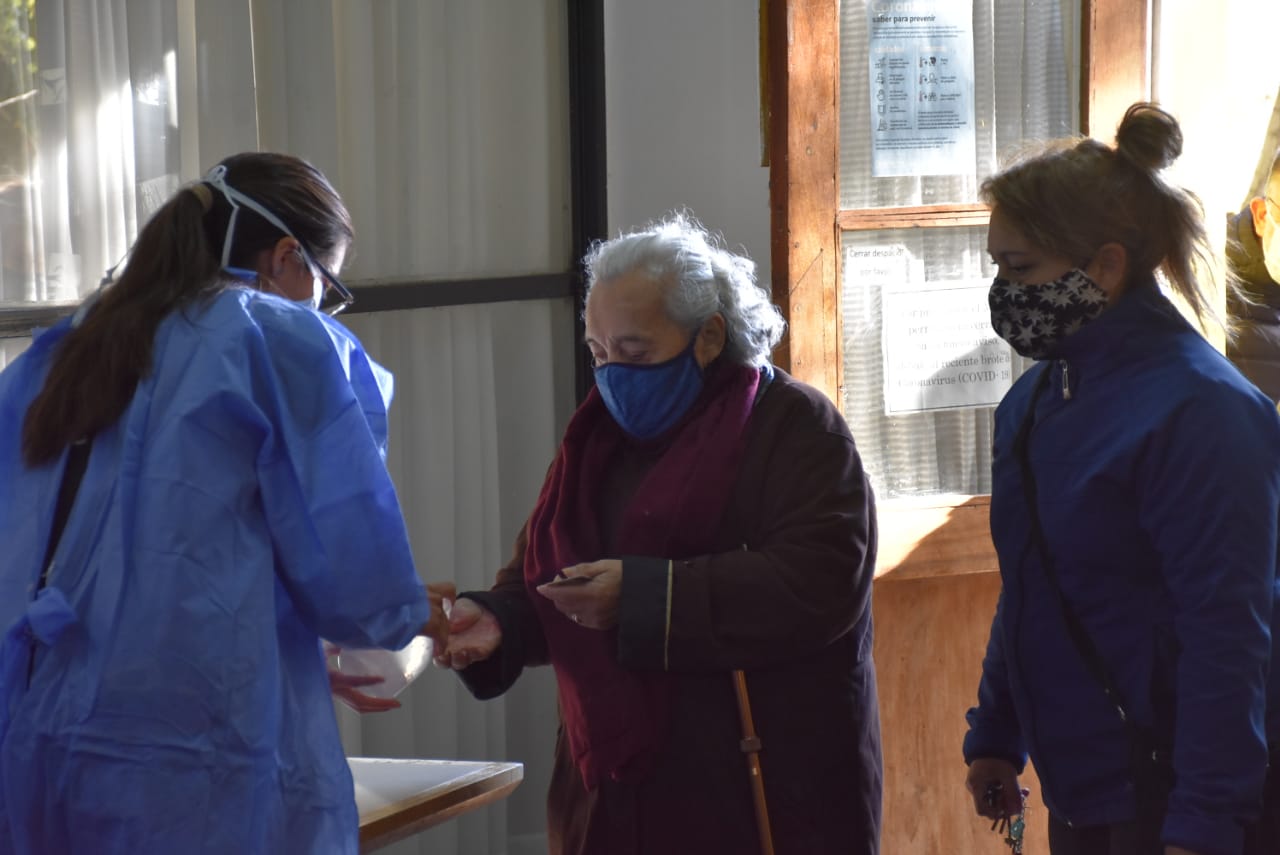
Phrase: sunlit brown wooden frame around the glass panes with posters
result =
(802, 74)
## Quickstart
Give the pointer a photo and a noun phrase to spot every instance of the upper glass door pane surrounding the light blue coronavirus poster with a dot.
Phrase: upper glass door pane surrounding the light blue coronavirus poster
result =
(1022, 92)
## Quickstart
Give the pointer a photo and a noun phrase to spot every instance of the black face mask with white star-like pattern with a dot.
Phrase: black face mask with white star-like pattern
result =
(1034, 319)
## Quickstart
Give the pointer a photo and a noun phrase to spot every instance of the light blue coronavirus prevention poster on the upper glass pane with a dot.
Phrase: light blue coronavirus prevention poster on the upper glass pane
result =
(922, 88)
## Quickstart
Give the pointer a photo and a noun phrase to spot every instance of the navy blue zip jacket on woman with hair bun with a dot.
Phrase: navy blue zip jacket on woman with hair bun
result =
(1158, 474)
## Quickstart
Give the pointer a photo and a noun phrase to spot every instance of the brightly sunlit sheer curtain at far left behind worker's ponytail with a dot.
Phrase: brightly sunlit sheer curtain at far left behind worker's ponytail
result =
(106, 108)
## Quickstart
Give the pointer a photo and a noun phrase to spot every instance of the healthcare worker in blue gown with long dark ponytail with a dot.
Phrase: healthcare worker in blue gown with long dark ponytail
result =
(163, 687)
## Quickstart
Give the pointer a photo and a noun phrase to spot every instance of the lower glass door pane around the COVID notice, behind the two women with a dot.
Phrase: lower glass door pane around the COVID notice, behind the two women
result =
(947, 451)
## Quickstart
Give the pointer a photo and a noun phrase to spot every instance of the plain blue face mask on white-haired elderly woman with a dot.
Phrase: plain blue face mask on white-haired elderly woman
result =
(648, 400)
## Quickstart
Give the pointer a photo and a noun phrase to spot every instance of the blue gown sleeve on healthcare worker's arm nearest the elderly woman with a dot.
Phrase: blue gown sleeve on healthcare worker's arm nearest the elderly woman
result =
(342, 548)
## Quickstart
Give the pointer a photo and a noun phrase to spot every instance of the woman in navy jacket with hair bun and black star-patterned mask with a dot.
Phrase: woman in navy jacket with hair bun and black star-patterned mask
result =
(1135, 506)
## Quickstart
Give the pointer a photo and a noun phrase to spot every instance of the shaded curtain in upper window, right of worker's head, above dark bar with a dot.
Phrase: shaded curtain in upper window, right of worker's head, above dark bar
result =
(445, 126)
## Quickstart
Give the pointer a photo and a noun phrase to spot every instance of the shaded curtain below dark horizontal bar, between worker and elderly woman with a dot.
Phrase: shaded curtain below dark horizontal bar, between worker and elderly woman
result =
(481, 401)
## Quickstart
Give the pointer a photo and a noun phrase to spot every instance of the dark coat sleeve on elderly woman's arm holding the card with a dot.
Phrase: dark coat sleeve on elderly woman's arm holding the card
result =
(799, 582)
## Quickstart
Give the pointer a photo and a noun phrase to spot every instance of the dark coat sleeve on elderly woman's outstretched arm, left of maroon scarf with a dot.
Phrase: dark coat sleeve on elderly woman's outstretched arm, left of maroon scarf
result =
(523, 642)
